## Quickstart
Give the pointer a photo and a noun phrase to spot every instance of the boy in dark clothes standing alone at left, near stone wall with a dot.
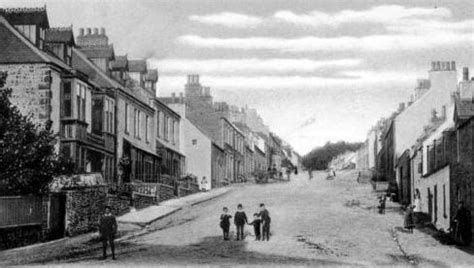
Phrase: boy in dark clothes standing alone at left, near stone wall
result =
(107, 231)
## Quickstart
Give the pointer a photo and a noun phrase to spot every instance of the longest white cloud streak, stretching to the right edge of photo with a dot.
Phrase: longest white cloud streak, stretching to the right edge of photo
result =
(343, 43)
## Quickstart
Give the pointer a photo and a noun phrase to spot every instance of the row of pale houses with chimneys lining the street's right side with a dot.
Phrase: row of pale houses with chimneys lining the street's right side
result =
(426, 147)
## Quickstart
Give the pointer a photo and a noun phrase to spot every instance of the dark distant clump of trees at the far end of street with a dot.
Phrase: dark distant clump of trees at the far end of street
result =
(319, 158)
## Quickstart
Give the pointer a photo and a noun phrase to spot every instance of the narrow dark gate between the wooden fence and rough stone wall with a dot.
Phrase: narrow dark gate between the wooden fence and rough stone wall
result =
(57, 215)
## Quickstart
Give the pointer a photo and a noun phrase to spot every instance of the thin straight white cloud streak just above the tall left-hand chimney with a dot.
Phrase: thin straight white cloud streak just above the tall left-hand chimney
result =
(250, 66)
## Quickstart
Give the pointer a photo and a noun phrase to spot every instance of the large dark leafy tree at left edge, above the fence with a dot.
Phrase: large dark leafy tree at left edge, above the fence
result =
(28, 161)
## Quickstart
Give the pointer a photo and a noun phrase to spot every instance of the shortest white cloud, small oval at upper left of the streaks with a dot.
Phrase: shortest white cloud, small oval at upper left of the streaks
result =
(228, 19)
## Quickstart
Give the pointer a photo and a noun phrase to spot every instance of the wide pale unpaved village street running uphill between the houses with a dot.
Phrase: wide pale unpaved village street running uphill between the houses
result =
(317, 222)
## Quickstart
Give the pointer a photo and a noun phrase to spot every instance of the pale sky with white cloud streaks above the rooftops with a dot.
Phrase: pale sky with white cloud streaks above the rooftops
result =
(316, 71)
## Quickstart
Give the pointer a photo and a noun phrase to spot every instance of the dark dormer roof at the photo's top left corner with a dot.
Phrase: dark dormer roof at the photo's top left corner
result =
(26, 16)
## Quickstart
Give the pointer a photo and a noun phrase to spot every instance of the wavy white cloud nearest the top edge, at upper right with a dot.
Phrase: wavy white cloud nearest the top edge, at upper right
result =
(387, 14)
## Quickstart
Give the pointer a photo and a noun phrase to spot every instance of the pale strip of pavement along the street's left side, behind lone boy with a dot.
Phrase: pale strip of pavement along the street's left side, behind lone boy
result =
(146, 216)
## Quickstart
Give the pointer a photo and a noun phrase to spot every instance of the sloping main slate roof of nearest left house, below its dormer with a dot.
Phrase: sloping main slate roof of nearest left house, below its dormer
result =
(16, 48)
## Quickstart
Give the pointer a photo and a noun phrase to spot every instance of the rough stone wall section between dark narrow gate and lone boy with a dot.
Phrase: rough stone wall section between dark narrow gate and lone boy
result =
(83, 209)
